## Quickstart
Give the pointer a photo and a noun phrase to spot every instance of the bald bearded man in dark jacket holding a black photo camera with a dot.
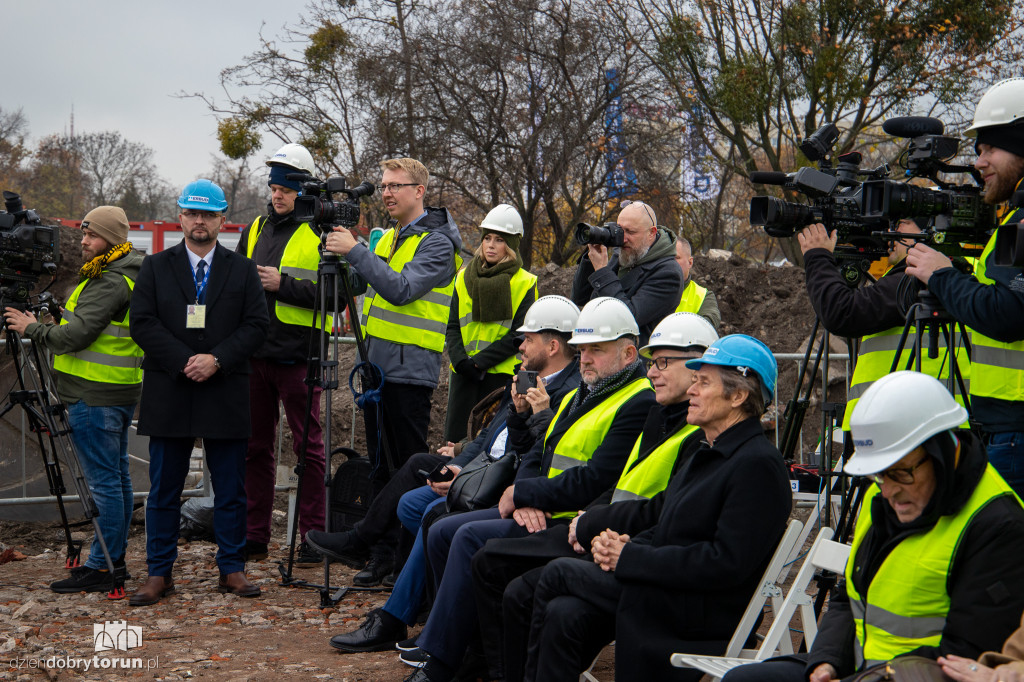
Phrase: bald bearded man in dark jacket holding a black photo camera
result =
(644, 275)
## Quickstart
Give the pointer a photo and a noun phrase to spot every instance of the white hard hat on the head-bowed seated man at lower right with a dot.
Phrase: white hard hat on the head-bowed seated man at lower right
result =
(897, 414)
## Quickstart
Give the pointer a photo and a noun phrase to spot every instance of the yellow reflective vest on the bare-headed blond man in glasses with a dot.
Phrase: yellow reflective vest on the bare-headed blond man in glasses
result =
(421, 323)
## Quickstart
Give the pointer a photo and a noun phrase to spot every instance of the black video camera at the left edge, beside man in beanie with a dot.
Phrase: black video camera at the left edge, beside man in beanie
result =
(28, 249)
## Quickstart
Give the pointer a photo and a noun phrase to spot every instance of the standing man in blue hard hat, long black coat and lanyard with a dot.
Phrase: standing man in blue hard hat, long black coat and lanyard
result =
(199, 314)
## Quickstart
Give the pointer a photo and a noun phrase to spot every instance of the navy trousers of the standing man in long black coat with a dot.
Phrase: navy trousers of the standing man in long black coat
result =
(168, 468)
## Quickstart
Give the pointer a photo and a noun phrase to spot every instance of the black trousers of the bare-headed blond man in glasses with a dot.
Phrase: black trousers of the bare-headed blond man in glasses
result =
(404, 414)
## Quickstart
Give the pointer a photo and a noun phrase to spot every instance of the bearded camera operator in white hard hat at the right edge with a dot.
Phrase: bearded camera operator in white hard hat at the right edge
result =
(992, 303)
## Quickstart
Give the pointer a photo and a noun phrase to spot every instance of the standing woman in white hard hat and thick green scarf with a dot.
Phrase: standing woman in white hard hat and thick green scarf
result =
(492, 296)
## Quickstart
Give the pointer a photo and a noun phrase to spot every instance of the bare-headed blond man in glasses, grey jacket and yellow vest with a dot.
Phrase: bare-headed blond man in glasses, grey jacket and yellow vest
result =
(409, 280)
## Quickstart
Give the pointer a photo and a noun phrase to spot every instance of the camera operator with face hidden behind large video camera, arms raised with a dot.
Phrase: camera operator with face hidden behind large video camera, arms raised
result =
(872, 313)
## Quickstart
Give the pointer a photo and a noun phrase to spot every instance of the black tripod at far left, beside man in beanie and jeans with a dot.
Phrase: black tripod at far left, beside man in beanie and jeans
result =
(48, 415)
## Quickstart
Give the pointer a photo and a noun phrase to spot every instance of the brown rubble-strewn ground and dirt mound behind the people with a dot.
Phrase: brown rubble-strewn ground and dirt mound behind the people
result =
(200, 633)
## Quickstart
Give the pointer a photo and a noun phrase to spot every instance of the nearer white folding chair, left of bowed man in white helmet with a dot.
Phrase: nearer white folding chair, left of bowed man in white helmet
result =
(824, 555)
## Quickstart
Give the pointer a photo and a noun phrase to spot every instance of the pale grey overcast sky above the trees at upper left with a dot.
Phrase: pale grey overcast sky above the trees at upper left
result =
(121, 64)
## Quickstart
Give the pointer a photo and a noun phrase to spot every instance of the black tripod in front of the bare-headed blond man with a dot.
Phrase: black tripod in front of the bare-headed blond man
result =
(333, 286)
